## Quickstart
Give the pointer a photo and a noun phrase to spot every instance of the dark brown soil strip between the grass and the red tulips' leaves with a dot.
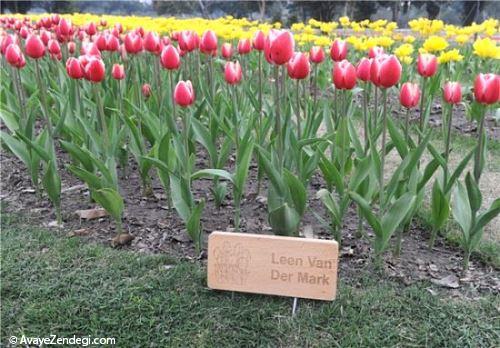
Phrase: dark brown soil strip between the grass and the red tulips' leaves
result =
(159, 230)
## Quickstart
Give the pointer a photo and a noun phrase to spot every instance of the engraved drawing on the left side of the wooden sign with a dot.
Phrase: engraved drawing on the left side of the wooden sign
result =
(232, 262)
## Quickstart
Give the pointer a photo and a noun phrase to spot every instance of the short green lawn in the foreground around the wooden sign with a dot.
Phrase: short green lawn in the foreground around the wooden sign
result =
(51, 284)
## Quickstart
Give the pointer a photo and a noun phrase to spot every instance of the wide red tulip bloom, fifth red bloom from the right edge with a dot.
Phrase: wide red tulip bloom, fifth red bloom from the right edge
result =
(385, 71)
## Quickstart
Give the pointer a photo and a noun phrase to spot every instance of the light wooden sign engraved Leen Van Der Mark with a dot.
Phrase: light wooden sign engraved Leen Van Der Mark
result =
(273, 265)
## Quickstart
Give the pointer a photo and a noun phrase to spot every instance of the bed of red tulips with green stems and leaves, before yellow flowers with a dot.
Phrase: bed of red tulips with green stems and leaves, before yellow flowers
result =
(245, 107)
